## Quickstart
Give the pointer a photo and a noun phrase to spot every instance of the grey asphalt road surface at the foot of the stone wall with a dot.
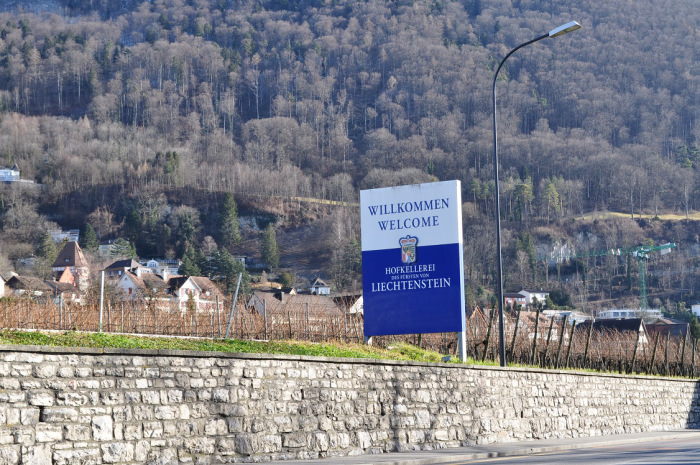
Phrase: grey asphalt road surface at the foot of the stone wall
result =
(666, 452)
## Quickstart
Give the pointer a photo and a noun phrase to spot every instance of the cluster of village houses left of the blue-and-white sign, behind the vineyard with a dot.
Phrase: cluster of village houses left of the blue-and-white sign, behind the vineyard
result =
(157, 284)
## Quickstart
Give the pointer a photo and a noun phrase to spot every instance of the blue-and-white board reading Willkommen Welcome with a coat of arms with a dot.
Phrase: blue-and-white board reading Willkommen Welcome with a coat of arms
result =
(412, 261)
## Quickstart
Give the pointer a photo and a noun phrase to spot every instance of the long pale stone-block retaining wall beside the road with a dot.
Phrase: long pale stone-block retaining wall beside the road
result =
(90, 406)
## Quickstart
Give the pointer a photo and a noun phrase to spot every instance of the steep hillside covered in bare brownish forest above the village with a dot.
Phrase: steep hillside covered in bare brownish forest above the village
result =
(322, 98)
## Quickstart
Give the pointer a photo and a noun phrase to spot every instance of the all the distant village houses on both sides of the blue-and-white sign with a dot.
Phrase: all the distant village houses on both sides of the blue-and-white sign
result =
(157, 284)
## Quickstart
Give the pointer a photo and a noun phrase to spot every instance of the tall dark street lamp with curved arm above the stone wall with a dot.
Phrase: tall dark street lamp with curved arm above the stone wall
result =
(561, 30)
